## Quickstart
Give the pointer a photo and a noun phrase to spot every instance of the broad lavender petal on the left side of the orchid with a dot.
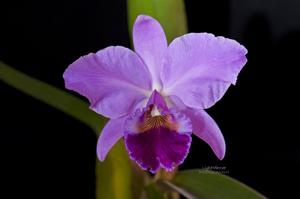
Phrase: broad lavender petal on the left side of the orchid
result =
(114, 80)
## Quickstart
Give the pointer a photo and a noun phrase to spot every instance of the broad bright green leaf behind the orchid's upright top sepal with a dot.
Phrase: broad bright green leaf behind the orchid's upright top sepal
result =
(170, 13)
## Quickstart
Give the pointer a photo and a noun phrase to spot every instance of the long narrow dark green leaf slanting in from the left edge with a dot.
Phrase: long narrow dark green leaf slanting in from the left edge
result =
(52, 96)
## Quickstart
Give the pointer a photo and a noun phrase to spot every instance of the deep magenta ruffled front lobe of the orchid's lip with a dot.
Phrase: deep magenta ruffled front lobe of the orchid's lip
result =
(158, 148)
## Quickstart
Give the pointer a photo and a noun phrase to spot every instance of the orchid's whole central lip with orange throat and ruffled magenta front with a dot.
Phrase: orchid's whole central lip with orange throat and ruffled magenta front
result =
(157, 137)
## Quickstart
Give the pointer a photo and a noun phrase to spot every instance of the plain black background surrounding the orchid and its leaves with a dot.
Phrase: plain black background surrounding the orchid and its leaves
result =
(46, 154)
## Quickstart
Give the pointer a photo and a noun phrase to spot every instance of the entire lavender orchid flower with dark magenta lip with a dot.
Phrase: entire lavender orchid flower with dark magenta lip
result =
(155, 97)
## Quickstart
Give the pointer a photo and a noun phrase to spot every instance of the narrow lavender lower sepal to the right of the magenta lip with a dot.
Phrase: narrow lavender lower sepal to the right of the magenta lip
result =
(206, 128)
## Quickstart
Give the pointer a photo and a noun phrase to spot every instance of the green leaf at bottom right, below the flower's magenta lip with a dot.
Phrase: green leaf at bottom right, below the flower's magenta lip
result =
(206, 184)
